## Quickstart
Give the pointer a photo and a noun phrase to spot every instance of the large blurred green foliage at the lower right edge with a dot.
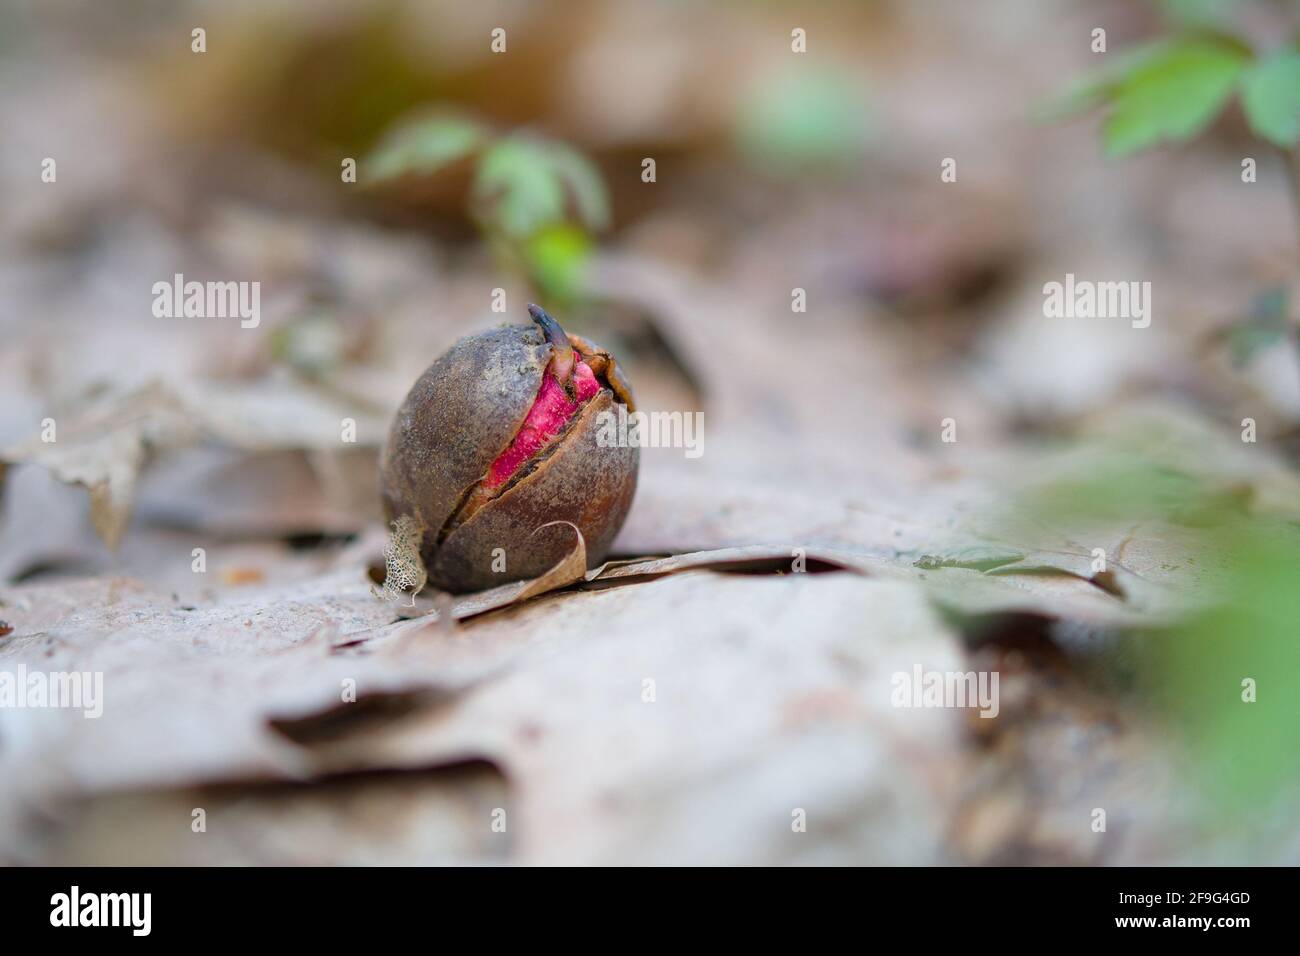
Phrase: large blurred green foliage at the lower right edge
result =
(1240, 560)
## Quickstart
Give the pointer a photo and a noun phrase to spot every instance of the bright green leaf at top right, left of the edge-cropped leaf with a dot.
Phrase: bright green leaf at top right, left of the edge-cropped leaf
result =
(1172, 96)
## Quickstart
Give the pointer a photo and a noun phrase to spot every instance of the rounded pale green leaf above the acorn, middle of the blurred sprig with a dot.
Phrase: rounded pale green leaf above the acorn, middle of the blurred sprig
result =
(525, 185)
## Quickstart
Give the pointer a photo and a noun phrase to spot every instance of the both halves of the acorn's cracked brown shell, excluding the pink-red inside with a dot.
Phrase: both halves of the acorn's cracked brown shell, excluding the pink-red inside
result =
(457, 419)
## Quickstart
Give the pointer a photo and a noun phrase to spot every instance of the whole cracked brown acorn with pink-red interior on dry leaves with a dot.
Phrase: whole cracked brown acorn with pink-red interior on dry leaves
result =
(495, 452)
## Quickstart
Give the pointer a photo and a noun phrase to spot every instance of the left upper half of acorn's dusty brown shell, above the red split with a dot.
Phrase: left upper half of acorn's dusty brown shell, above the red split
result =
(458, 417)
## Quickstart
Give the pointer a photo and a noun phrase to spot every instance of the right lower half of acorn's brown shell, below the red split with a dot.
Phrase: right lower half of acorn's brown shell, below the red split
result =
(579, 482)
